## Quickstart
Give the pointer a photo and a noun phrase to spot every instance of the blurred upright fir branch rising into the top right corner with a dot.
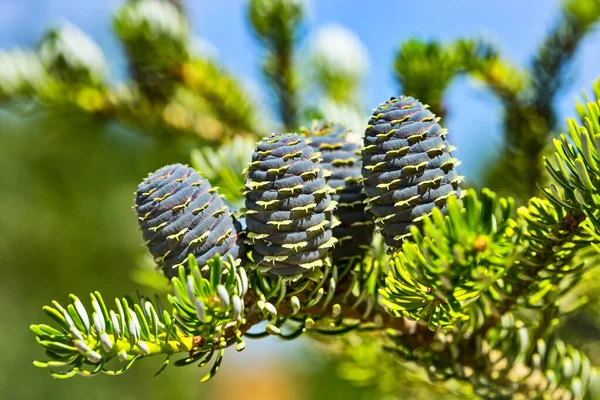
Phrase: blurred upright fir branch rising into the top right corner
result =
(529, 99)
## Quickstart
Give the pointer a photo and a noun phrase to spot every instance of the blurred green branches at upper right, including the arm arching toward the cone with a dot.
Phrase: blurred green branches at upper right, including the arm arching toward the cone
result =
(528, 96)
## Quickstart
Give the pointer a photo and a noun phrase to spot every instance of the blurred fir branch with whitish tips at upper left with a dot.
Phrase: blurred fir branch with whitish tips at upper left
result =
(172, 92)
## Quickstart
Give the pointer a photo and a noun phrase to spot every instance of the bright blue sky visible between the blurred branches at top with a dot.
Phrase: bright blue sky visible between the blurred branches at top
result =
(516, 26)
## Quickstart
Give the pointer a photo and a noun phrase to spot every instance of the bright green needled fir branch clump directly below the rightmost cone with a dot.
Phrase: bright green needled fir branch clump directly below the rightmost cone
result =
(487, 334)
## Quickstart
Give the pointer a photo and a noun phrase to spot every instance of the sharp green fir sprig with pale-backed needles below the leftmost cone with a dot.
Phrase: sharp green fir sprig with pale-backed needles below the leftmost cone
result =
(205, 318)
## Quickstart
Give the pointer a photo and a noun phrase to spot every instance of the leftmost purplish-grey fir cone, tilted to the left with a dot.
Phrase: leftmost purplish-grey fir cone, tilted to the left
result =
(180, 214)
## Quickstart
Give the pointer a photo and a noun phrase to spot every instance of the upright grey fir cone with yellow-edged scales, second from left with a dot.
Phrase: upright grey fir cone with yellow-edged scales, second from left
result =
(289, 208)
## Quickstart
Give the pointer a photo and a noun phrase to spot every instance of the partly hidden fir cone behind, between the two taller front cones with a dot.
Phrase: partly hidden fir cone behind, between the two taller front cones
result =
(342, 160)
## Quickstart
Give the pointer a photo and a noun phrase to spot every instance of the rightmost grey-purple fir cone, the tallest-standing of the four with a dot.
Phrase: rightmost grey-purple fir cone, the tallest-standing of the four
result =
(407, 166)
